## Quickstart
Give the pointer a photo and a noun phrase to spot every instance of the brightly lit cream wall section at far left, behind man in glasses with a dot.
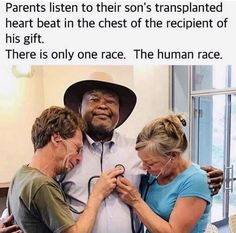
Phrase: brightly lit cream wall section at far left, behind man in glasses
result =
(21, 100)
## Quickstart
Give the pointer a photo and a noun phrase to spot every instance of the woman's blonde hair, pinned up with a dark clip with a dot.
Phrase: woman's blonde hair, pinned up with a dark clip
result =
(164, 135)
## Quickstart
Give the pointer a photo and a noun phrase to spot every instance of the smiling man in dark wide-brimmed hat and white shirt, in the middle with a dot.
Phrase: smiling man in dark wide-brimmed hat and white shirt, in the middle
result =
(104, 106)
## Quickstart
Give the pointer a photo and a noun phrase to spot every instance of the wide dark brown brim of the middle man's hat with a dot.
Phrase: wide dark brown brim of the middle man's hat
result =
(127, 98)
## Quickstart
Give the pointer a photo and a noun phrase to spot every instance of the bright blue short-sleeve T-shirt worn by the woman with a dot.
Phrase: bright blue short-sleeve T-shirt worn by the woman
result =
(190, 183)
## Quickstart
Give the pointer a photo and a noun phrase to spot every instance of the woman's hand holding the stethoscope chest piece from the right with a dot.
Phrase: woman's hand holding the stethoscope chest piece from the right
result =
(127, 192)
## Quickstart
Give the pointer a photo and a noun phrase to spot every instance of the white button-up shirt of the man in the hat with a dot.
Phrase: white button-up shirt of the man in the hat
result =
(113, 215)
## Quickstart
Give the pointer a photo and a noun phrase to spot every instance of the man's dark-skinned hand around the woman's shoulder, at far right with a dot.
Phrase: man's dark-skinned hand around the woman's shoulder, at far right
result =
(215, 178)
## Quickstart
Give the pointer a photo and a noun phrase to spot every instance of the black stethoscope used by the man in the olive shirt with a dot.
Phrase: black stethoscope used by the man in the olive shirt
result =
(72, 209)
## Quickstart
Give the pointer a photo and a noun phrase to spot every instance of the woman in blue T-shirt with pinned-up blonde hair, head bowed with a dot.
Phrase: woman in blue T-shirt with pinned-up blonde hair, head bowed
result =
(176, 197)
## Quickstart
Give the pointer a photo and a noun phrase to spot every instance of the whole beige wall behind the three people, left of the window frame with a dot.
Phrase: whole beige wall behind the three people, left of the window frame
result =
(31, 95)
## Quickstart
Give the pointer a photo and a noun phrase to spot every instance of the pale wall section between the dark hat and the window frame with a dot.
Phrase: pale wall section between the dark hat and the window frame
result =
(151, 85)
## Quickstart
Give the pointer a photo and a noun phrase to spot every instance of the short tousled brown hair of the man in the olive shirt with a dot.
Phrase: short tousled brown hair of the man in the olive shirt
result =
(54, 120)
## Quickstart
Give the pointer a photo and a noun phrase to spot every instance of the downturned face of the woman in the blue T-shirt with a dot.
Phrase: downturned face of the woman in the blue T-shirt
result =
(155, 164)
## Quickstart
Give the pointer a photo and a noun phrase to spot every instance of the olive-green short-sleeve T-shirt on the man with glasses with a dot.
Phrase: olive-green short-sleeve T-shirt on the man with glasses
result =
(37, 203)
